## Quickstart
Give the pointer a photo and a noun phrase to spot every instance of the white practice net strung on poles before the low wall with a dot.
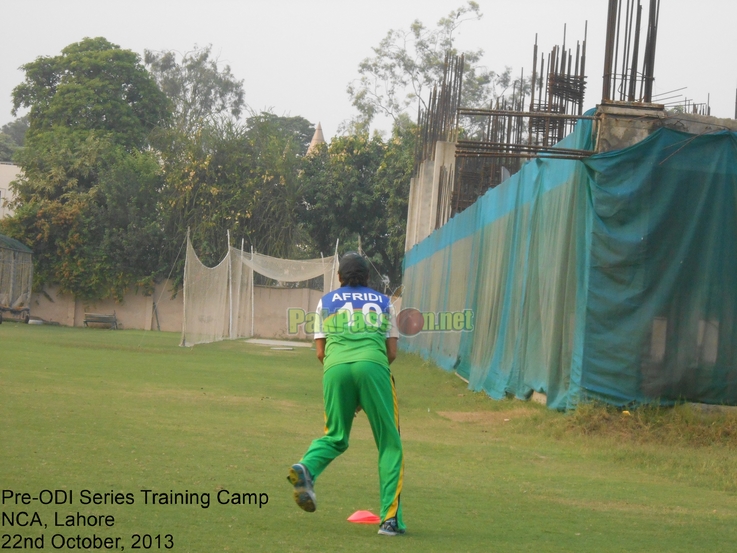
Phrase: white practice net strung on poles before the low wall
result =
(219, 301)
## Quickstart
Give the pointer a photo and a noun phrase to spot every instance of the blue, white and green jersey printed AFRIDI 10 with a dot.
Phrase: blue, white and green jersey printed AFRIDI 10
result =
(355, 321)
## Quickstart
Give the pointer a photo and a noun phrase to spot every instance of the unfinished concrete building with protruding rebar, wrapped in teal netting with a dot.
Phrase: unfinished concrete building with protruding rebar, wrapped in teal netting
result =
(598, 267)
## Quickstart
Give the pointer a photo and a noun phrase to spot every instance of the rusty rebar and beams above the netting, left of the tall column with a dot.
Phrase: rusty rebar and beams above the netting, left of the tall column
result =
(492, 144)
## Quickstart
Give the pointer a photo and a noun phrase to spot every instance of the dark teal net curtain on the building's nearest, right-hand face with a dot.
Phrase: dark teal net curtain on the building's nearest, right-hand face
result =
(662, 285)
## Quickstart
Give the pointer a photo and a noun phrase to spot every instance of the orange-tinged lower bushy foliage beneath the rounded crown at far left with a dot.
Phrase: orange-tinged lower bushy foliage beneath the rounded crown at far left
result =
(87, 209)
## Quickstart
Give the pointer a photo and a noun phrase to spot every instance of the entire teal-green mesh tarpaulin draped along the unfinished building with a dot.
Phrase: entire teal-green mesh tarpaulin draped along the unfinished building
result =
(612, 279)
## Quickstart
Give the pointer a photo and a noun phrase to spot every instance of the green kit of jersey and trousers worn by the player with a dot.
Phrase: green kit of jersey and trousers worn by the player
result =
(355, 374)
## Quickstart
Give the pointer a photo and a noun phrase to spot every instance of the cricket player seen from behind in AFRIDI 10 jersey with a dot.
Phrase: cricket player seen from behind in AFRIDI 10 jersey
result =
(356, 340)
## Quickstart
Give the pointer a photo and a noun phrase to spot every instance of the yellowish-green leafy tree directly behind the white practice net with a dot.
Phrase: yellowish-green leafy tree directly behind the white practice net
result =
(241, 178)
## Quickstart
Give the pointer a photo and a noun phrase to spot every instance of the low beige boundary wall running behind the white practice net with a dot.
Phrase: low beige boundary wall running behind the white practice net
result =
(137, 311)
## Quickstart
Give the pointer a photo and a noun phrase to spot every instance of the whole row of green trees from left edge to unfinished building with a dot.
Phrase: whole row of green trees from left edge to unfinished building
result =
(115, 172)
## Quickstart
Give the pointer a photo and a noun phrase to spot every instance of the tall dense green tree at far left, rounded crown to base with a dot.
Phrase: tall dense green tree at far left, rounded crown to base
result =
(85, 200)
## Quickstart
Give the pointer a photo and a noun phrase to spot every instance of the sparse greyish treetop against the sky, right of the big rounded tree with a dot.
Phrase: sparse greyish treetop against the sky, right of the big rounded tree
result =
(201, 92)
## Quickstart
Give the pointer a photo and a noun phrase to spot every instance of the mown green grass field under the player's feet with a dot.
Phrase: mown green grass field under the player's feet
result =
(99, 410)
